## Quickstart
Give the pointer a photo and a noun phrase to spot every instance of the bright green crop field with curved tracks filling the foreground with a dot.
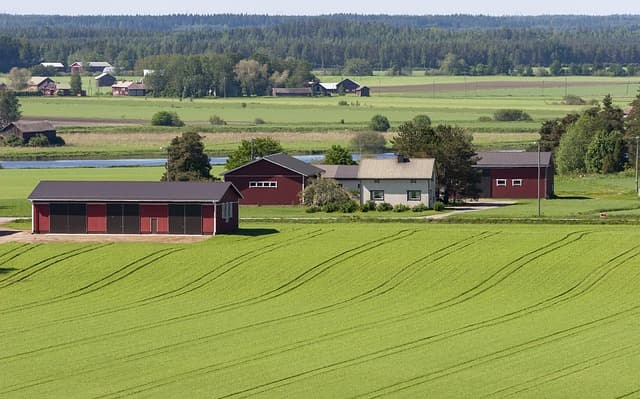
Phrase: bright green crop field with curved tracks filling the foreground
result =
(365, 311)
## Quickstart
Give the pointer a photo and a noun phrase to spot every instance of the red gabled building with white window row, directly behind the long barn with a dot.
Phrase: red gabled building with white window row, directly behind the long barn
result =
(275, 179)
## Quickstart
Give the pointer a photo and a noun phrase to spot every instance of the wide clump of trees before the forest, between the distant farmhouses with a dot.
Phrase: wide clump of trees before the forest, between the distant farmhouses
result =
(225, 75)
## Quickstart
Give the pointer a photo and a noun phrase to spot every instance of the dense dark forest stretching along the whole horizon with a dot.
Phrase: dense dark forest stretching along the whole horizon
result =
(475, 44)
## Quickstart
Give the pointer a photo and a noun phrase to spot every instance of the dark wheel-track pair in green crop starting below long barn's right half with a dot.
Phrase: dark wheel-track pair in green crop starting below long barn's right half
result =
(103, 282)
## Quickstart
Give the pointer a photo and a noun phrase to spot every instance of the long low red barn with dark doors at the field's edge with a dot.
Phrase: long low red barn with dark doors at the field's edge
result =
(134, 207)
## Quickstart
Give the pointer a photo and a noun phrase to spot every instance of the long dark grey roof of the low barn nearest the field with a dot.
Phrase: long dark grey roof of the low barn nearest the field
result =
(128, 191)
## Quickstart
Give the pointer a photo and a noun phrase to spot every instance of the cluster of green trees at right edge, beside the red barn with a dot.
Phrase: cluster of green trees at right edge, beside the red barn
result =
(599, 140)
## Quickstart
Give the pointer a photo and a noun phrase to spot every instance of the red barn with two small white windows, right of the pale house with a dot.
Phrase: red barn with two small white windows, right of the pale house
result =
(509, 174)
